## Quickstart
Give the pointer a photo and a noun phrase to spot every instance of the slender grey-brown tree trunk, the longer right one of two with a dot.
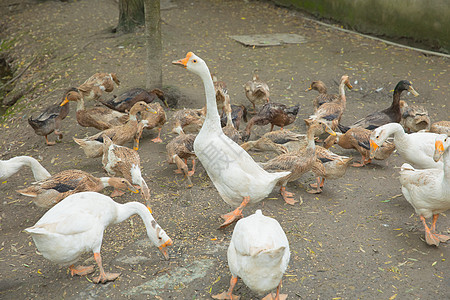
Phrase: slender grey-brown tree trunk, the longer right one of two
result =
(154, 45)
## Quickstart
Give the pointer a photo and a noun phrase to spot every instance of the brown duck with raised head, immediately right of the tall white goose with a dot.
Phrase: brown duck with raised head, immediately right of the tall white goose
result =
(297, 162)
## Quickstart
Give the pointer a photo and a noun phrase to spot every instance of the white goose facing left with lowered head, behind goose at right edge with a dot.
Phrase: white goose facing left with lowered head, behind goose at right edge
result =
(416, 148)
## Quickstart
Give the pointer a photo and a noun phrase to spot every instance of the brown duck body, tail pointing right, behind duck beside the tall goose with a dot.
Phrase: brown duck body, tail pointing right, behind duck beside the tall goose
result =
(328, 165)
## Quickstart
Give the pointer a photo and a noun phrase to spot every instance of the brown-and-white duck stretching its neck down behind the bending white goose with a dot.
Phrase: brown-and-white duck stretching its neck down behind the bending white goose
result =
(122, 161)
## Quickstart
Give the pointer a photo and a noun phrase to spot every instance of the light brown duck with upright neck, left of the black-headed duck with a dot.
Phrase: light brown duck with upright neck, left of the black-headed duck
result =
(331, 112)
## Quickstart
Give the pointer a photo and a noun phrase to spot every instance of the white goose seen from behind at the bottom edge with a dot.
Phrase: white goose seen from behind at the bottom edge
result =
(258, 254)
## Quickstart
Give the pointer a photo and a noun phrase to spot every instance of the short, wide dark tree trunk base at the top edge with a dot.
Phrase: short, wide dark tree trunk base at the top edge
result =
(131, 15)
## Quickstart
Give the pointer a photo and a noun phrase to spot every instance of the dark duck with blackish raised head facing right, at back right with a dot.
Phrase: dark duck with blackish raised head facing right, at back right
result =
(385, 116)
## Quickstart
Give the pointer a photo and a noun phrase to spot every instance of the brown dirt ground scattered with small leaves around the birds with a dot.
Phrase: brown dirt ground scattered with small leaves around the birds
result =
(359, 239)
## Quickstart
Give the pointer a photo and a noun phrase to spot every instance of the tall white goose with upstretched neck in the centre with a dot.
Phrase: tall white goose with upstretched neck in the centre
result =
(237, 177)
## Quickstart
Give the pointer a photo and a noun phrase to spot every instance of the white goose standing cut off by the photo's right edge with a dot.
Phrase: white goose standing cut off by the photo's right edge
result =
(428, 191)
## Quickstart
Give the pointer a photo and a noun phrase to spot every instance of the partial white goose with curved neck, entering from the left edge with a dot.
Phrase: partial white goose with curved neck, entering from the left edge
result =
(13, 165)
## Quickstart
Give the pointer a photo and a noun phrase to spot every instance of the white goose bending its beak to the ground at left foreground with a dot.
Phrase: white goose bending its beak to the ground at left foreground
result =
(76, 225)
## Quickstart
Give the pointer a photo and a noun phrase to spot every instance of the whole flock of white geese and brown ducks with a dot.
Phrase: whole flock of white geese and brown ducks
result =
(259, 250)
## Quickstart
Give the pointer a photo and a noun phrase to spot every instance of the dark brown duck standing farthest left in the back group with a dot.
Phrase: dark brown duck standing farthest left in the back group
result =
(50, 121)
